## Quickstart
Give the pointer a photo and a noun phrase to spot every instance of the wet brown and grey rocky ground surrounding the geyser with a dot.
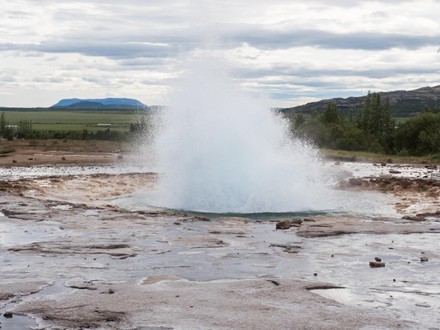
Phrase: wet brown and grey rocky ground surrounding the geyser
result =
(79, 250)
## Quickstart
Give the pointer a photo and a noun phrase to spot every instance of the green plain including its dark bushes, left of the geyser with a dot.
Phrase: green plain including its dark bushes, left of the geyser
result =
(73, 124)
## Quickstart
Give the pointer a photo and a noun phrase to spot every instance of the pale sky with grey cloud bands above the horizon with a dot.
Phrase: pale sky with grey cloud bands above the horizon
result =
(286, 51)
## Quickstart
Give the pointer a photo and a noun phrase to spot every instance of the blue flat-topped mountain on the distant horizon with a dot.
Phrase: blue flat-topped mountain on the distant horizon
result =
(107, 103)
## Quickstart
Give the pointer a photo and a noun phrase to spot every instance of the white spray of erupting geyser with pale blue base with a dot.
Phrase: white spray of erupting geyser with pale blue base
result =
(224, 152)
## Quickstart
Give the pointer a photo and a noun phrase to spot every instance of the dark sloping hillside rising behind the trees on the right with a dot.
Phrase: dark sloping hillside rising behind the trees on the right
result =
(402, 103)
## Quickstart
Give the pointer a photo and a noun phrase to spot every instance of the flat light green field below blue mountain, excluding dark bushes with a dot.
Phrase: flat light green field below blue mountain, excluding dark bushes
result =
(75, 120)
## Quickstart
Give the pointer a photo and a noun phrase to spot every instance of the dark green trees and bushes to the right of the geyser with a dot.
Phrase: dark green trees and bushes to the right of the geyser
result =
(371, 128)
